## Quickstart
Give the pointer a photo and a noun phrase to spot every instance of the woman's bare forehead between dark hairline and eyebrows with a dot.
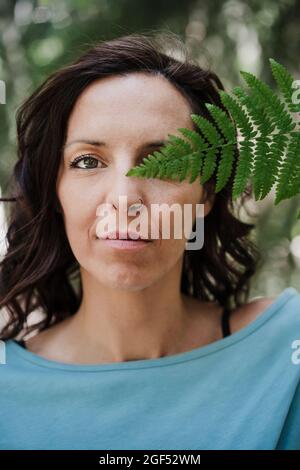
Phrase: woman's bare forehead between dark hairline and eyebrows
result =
(144, 106)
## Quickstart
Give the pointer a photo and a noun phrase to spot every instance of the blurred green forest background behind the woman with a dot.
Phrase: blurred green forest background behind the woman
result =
(37, 37)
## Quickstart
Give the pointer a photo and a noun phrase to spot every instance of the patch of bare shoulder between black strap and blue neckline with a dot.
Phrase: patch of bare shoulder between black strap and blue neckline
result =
(247, 313)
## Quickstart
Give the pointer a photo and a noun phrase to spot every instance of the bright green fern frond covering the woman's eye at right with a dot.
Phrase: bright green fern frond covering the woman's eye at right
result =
(257, 130)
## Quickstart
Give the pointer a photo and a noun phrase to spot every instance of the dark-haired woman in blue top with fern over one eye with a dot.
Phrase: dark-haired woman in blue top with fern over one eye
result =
(134, 347)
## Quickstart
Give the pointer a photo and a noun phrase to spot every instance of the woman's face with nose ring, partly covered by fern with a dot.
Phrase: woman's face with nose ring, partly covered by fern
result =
(125, 114)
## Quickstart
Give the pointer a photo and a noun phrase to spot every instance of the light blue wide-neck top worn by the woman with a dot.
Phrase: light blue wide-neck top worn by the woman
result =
(240, 392)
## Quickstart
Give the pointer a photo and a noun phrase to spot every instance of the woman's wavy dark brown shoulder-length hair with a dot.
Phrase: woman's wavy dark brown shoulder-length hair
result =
(39, 270)
